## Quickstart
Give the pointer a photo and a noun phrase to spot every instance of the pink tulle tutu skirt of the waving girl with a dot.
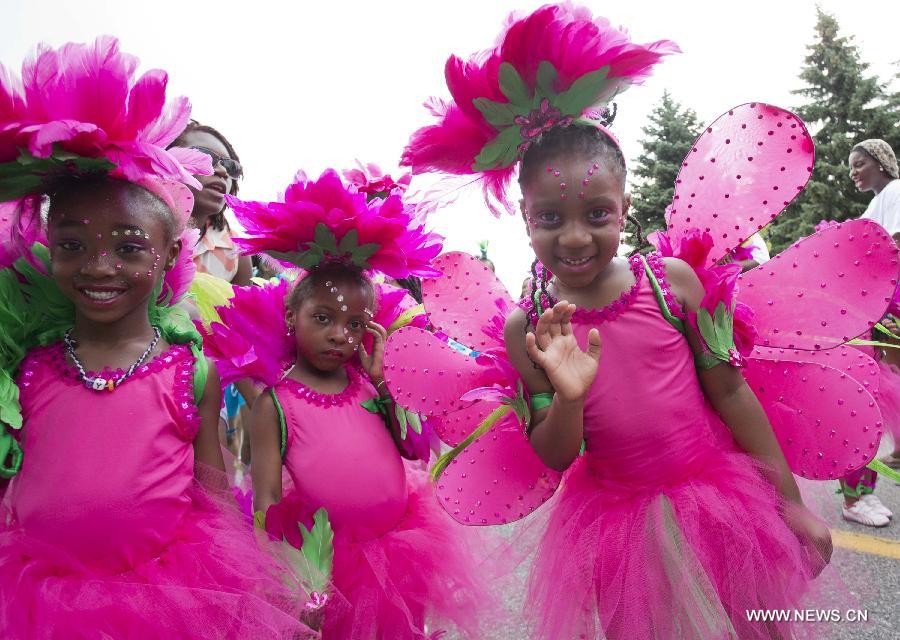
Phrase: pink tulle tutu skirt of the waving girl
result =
(680, 557)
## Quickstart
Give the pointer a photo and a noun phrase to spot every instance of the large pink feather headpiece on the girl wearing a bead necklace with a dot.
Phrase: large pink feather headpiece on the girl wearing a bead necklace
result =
(79, 110)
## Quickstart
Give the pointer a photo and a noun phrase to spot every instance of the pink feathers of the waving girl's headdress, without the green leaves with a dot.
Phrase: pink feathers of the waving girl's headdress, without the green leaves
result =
(570, 38)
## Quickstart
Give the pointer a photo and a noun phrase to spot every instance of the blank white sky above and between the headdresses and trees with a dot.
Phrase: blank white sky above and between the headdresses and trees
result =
(312, 85)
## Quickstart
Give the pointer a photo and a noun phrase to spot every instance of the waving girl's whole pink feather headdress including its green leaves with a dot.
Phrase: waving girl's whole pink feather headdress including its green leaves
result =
(555, 67)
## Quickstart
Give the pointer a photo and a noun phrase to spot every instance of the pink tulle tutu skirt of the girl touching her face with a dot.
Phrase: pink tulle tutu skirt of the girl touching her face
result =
(421, 574)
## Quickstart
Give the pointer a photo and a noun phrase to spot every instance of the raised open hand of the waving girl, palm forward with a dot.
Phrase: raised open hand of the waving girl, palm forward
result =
(552, 347)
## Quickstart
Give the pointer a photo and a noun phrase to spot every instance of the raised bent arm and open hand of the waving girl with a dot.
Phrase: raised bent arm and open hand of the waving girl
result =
(556, 432)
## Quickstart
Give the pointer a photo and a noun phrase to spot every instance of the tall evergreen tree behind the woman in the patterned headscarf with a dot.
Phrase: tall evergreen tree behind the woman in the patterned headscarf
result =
(843, 106)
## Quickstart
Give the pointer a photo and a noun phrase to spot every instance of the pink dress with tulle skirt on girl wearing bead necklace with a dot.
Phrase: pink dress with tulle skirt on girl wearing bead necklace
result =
(106, 533)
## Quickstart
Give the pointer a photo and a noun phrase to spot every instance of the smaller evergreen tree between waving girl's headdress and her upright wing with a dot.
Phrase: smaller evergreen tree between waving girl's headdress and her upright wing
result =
(669, 136)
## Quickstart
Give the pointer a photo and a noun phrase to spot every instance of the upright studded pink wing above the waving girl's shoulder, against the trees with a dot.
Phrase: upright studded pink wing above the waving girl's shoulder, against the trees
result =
(742, 171)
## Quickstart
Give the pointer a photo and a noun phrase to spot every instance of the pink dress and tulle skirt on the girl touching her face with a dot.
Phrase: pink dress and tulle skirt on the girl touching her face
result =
(397, 558)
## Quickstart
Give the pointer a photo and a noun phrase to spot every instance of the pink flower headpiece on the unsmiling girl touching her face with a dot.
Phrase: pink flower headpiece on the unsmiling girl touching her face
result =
(326, 221)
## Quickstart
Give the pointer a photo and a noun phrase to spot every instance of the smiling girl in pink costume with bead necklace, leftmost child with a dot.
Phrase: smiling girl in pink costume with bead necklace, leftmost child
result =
(107, 530)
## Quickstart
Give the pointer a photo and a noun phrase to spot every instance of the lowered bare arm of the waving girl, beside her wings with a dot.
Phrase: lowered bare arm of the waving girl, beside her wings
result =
(741, 411)
